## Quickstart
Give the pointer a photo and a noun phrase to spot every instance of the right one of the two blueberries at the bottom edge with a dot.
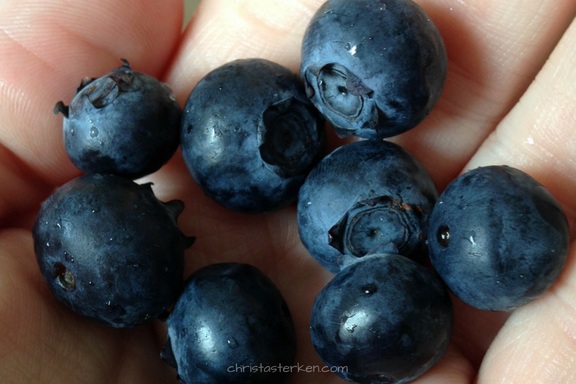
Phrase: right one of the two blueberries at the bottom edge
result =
(386, 318)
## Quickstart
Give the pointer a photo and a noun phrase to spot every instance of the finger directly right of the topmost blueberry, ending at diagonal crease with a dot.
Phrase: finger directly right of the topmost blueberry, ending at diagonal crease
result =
(495, 49)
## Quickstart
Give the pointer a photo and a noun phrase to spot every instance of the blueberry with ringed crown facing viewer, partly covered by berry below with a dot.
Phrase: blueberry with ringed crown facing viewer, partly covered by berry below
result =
(365, 197)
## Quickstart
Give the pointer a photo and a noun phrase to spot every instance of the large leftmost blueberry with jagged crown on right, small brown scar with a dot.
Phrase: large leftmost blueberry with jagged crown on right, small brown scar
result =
(110, 250)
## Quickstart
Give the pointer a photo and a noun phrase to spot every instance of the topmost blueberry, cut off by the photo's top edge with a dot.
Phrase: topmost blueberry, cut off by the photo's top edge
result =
(374, 68)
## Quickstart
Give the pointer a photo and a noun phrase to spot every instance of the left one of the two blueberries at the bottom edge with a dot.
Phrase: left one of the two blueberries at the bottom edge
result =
(230, 325)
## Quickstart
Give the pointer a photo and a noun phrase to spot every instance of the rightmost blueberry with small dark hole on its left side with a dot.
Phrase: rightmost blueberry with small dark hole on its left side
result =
(498, 238)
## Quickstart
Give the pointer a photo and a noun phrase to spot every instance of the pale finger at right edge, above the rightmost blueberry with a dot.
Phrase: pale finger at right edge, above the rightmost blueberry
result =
(538, 135)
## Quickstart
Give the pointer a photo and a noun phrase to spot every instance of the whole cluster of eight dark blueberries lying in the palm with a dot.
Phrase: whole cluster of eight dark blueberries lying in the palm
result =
(253, 137)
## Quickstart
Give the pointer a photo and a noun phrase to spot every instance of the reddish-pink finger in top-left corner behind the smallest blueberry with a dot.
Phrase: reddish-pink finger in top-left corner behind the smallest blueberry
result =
(46, 49)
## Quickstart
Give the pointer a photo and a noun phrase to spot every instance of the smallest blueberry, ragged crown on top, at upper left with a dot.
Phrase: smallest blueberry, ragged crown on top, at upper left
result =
(125, 123)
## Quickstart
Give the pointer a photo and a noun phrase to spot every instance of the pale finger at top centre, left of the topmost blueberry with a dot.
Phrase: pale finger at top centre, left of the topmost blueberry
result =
(221, 31)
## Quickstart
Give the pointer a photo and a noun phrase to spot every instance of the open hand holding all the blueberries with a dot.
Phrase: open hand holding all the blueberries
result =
(510, 98)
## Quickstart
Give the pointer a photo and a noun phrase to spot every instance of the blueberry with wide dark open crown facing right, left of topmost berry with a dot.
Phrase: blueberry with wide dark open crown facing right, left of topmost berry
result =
(250, 136)
